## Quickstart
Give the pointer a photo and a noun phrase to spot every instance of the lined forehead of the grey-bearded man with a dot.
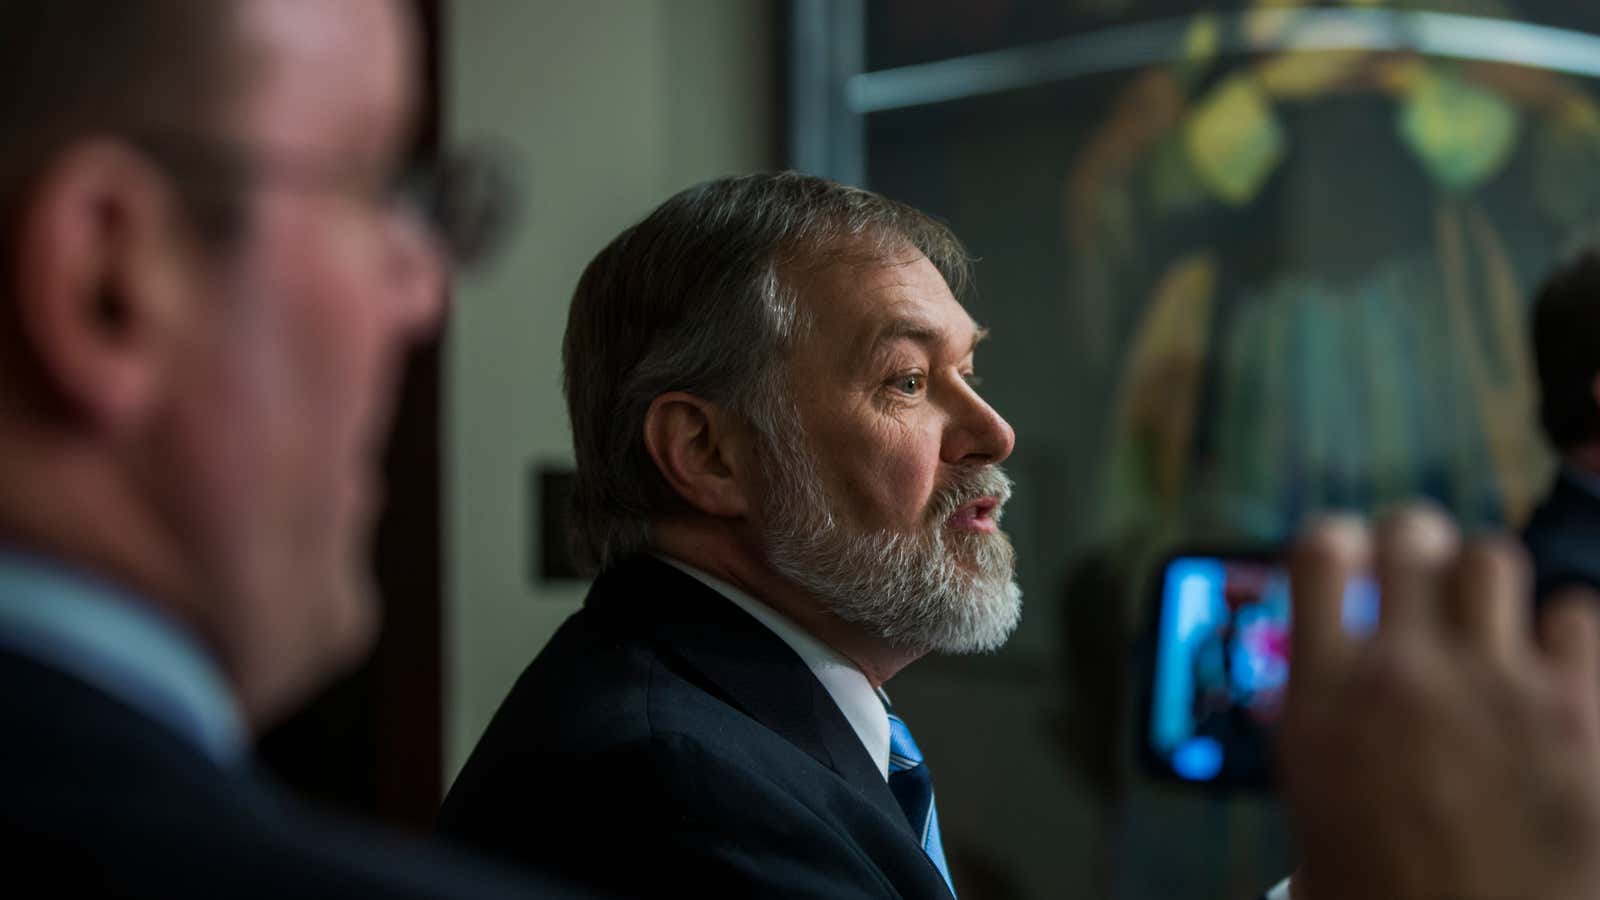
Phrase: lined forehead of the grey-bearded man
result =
(858, 305)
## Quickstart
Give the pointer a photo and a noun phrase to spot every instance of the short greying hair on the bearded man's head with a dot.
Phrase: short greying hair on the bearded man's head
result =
(702, 297)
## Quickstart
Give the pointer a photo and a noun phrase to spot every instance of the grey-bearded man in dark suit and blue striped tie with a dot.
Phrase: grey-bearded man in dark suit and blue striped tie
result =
(791, 489)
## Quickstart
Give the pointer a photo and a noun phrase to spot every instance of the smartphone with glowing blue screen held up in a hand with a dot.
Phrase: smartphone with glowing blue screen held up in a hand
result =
(1218, 664)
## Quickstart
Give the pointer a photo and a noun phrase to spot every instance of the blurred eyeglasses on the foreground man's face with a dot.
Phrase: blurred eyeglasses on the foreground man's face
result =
(470, 199)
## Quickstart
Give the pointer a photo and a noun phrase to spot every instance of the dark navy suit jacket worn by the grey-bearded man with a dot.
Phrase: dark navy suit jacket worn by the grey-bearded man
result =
(666, 742)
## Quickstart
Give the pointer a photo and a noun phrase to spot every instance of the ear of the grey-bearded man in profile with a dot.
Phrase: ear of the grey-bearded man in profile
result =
(703, 452)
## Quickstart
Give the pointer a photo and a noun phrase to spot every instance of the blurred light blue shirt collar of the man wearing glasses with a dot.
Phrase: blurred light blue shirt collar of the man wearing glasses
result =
(121, 646)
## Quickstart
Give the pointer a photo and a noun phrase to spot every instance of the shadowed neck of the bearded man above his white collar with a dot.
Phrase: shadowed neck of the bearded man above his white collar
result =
(719, 550)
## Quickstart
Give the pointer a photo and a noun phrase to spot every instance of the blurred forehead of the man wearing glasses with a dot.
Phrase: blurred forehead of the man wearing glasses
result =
(329, 74)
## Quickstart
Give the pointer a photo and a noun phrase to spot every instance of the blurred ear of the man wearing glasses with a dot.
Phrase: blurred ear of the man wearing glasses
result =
(98, 284)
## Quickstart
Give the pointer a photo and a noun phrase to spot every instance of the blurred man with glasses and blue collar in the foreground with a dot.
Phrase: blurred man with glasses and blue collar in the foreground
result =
(209, 287)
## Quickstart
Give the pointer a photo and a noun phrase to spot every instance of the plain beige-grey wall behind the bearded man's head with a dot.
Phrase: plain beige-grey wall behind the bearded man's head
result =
(610, 106)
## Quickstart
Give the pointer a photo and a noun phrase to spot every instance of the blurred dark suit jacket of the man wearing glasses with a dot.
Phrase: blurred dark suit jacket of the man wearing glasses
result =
(97, 800)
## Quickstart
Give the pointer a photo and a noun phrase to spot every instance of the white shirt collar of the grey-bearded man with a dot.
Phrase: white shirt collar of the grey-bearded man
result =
(847, 685)
